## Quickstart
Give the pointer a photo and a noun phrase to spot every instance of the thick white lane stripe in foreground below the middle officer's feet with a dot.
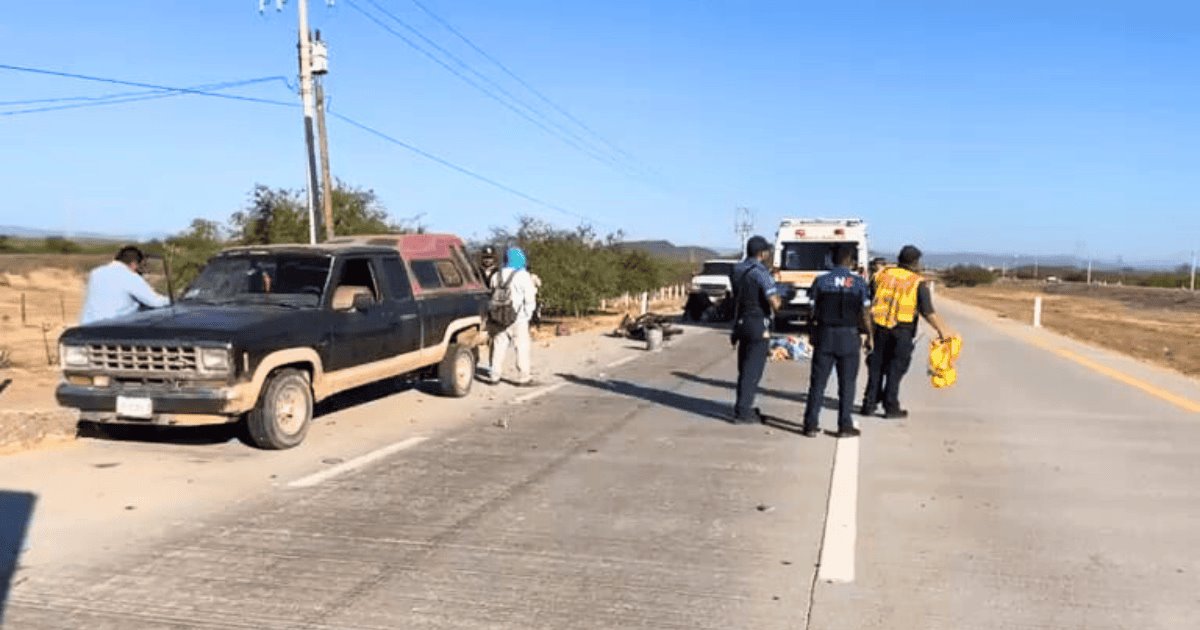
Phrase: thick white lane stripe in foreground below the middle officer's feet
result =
(842, 519)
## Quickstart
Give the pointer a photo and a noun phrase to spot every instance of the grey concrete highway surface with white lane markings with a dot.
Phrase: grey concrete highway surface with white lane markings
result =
(1053, 488)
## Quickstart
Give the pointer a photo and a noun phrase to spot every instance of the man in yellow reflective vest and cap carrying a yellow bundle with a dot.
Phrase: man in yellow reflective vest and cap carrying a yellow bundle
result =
(902, 295)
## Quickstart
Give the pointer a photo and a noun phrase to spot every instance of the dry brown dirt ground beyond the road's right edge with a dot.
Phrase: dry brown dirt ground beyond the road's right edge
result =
(1161, 327)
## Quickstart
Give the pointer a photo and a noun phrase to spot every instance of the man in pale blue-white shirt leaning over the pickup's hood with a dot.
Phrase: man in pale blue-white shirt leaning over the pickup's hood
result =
(119, 290)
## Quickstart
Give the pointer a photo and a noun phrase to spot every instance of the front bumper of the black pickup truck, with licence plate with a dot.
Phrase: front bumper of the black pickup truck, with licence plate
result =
(103, 401)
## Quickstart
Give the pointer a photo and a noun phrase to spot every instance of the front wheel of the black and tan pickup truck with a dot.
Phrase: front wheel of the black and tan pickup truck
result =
(284, 413)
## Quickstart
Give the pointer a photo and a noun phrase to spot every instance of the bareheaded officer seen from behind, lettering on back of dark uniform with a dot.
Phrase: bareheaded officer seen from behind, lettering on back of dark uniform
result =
(842, 305)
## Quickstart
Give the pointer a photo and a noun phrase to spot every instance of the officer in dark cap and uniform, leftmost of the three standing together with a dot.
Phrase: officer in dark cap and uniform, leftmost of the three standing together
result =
(757, 299)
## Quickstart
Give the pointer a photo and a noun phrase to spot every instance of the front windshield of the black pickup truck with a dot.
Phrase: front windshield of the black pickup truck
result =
(289, 280)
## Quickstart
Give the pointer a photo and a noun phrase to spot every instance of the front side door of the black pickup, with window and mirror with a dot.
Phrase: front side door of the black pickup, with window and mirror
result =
(358, 338)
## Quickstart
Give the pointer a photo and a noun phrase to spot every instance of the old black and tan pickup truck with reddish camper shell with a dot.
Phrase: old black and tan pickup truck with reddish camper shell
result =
(266, 333)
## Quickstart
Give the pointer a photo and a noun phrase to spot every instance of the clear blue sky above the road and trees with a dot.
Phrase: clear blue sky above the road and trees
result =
(1042, 128)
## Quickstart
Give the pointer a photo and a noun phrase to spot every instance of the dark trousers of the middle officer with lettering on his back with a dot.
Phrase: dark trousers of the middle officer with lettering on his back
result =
(833, 349)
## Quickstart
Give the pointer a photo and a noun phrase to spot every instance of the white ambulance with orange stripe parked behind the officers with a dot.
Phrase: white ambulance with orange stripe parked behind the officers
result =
(805, 251)
